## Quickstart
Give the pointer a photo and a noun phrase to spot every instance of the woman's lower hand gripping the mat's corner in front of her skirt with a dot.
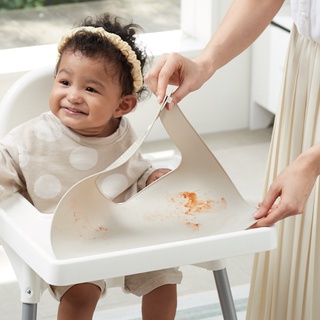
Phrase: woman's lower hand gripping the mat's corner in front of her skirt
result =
(288, 194)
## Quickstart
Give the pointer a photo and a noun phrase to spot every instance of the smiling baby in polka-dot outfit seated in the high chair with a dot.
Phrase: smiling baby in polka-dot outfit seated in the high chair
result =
(97, 81)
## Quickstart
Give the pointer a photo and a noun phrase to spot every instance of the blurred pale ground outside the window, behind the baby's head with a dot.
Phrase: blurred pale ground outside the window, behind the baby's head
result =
(44, 25)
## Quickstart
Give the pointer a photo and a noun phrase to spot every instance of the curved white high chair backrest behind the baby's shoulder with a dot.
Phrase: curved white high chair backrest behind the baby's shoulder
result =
(27, 98)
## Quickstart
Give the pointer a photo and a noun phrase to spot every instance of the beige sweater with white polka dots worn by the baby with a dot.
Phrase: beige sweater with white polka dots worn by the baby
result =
(42, 159)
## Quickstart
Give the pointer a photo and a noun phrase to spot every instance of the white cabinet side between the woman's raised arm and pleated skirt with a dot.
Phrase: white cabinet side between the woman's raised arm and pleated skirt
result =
(268, 62)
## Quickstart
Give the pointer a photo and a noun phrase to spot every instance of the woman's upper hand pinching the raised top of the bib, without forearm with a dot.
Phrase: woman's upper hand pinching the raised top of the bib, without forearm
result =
(177, 70)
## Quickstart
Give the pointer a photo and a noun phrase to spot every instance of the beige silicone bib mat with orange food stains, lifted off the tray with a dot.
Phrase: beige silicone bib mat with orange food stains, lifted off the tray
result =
(197, 199)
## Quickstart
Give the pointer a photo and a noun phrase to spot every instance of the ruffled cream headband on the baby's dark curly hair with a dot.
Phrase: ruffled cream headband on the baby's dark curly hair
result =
(123, 46)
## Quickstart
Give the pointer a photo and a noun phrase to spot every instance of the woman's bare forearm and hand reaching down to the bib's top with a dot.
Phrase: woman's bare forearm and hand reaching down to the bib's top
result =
(242, 24)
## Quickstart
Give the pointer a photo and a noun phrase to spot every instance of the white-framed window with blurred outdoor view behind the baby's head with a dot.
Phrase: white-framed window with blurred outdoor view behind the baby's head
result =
(29, 36)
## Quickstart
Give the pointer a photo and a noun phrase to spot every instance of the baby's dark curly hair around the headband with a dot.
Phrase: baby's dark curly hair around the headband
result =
(94, 45)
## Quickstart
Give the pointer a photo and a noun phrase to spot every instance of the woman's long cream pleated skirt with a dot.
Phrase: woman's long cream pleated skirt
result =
(286, 282)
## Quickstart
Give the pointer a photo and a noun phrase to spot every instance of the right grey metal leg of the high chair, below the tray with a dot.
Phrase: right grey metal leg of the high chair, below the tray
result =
(225, 294)
